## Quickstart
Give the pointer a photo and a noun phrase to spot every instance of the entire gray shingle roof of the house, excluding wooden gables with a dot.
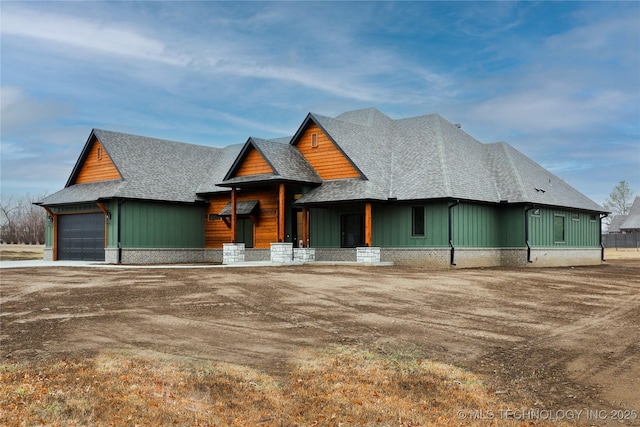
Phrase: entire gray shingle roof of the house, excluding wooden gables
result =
(416, 158)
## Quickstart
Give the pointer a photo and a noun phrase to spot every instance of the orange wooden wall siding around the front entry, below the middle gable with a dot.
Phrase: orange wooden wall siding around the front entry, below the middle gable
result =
(266, 226)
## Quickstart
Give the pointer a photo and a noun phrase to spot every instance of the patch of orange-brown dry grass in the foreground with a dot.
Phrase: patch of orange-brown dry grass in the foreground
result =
(341, 386)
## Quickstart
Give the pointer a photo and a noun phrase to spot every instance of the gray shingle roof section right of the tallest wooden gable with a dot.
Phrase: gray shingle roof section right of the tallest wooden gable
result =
(427, 157)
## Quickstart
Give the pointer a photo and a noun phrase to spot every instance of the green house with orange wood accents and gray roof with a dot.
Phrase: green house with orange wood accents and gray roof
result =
(415, 191)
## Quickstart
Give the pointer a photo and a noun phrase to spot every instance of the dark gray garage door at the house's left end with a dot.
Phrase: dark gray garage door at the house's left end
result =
(81, 237)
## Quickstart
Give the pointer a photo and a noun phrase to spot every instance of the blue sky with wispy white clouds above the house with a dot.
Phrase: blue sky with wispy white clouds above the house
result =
(559, 81)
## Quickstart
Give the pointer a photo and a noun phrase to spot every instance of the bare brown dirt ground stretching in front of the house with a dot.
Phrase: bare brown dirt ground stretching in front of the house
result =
(558, 338)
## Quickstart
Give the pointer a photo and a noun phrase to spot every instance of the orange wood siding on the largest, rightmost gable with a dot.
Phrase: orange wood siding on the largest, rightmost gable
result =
(328, 161)
